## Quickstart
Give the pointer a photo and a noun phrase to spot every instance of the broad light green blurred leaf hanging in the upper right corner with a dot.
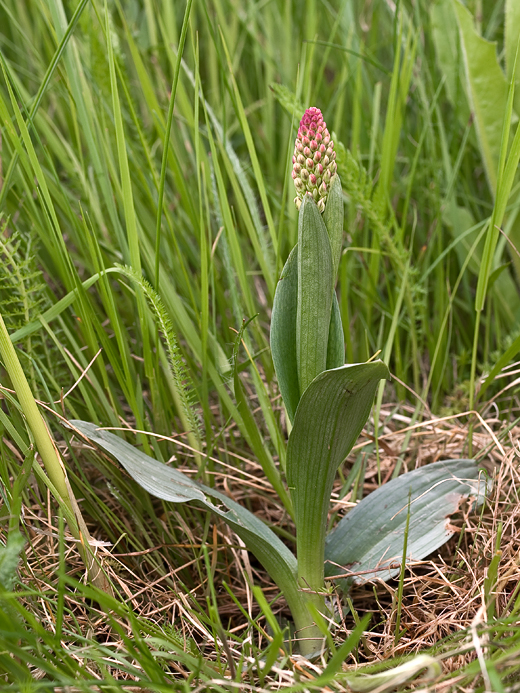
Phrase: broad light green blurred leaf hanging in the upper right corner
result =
(486, 87)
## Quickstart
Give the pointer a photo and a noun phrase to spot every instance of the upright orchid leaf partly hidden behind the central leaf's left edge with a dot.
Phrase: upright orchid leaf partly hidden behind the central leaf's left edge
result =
(283, 334)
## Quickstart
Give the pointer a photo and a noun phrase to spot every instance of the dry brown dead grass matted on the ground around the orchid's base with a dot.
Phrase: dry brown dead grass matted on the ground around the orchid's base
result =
(443, 596)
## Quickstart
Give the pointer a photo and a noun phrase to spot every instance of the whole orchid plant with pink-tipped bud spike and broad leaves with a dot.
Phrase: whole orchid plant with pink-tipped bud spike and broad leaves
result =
(327, 404)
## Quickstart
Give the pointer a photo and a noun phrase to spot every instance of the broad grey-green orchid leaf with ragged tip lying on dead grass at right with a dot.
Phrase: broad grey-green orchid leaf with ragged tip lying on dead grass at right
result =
(368, 541)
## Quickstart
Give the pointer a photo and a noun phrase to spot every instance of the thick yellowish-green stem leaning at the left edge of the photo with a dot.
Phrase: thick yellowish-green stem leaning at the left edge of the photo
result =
(49, 454)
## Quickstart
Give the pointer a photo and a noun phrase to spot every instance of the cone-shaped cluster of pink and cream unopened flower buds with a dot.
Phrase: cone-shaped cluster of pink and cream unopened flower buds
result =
(314, 159)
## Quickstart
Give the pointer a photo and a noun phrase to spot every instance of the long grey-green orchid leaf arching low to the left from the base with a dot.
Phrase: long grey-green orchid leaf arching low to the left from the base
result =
(171, 485)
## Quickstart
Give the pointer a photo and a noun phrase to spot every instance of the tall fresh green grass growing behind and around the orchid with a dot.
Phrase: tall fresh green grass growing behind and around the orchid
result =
(120, 160)
